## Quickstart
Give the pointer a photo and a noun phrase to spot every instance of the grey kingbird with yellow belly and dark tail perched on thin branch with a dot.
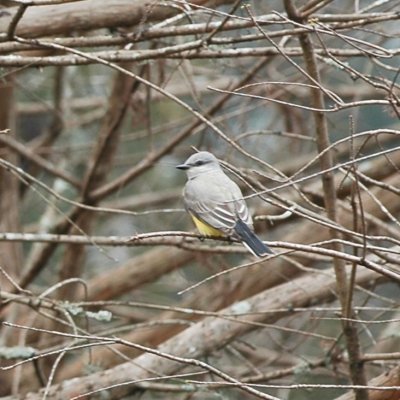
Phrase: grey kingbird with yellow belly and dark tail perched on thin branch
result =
(215, 203)
